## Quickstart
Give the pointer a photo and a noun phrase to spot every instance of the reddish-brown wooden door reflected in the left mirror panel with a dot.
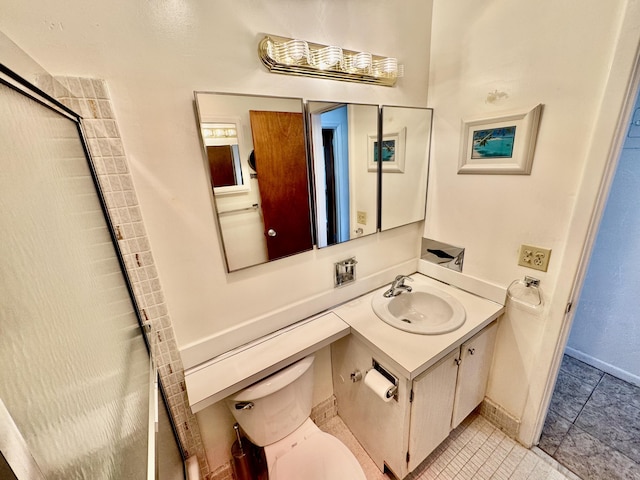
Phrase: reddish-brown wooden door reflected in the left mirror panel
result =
(281, 163)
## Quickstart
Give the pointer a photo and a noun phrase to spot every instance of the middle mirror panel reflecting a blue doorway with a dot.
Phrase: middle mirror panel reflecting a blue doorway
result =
(345, 189)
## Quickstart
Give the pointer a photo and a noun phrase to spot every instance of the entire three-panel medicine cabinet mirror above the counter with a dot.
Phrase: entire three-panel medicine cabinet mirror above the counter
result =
(255, 156)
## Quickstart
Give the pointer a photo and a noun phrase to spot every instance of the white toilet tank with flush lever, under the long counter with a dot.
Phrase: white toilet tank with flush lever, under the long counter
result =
(272, 408)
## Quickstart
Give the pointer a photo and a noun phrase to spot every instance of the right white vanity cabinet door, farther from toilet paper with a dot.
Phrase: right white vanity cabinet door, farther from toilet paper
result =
(475, 363)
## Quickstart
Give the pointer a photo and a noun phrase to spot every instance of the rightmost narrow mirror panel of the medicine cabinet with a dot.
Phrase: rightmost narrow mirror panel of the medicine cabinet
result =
(406, 139)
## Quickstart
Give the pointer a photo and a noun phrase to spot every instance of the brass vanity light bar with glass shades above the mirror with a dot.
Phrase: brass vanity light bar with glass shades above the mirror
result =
(299, 57)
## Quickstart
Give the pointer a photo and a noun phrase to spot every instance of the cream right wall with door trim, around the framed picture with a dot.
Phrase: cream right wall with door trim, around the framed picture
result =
(501, 55)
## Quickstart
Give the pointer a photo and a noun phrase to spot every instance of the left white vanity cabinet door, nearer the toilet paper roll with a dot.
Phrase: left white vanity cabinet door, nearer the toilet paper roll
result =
(433, 394)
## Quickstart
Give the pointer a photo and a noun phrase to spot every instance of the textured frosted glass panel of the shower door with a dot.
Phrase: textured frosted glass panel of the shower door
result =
(74, 368)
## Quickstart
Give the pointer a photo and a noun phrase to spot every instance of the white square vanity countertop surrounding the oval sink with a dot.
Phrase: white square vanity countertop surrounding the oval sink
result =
(412, 353)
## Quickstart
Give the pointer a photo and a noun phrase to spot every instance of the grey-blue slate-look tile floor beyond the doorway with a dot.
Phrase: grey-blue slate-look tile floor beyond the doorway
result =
(593, 424)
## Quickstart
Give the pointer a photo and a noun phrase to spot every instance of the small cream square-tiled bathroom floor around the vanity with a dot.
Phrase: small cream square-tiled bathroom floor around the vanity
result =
(476, 450)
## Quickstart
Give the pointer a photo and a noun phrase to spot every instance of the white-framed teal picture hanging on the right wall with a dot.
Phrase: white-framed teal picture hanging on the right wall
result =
(502, 144)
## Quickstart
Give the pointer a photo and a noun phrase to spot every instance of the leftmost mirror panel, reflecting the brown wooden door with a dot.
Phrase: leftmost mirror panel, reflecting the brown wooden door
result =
(268, 216)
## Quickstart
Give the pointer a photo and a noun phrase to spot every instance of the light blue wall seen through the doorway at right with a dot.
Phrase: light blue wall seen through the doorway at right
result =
(606, 331)
